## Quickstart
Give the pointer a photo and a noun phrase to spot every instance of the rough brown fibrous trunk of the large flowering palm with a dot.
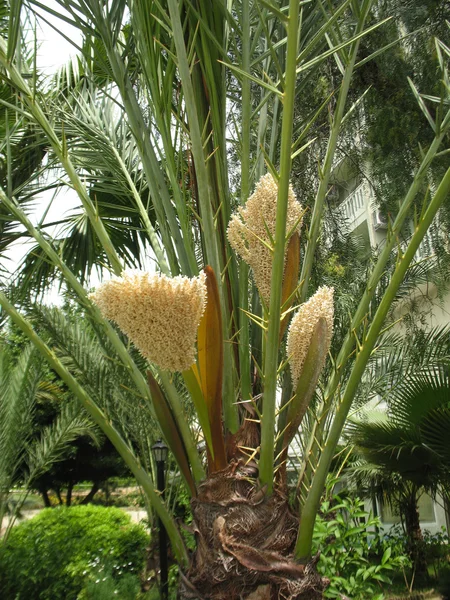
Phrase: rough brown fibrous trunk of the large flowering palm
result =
(245, 542)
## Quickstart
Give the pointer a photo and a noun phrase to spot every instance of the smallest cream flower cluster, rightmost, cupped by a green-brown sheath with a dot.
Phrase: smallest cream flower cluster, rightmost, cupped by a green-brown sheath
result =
(302, 327)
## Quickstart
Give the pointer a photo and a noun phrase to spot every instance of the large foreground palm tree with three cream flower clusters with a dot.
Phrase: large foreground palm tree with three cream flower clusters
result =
(138, 128)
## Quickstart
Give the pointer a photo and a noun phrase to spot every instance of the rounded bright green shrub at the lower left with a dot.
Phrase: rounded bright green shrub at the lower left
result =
(51, 556)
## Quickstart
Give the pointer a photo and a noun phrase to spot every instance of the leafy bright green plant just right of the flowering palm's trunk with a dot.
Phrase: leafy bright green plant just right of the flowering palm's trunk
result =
(343, 534)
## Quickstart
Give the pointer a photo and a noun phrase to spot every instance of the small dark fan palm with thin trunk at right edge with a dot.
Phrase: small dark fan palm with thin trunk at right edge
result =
(404, 452)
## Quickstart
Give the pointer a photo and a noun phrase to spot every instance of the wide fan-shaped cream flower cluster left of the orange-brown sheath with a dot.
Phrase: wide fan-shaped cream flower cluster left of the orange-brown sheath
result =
(159, 314)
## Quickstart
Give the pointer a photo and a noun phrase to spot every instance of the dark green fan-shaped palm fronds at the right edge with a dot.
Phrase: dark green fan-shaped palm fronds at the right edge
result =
(409, 441)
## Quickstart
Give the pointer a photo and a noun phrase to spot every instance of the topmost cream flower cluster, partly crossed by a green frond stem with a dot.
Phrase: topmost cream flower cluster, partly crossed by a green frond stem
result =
(249, 225)
